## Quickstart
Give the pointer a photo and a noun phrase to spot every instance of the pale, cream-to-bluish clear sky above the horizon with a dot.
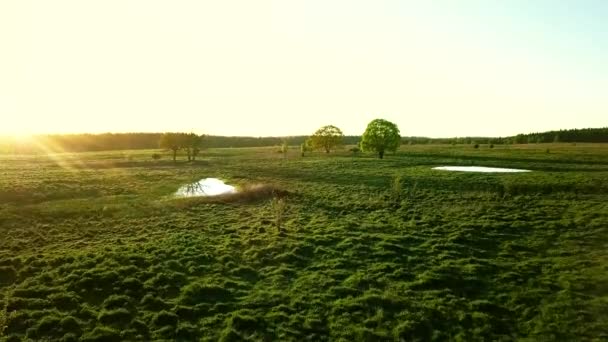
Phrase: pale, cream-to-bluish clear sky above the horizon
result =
(287, 67)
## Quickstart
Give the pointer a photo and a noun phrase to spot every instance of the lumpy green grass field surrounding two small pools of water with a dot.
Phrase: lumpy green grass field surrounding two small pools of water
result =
(94, 247)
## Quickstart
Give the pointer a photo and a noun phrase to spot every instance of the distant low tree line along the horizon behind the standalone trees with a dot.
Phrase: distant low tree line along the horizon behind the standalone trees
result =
(128, 141)
